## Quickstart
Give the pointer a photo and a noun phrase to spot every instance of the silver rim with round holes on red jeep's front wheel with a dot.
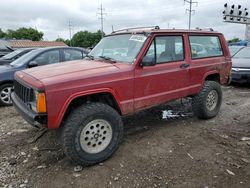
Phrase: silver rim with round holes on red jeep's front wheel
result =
(96, 136)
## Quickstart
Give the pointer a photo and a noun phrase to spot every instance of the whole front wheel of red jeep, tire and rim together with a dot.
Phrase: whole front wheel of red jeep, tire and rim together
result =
(92, 133)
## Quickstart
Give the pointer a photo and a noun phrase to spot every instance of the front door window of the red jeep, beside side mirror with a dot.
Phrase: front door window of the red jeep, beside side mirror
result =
(166, 49)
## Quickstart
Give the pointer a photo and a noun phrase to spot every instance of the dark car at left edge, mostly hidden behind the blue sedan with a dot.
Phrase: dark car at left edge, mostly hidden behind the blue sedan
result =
(7, 59)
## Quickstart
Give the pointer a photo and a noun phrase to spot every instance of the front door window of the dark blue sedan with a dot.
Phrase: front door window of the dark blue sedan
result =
(48, 57)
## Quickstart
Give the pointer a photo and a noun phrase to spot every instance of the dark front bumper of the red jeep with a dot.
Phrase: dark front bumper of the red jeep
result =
(35, 119)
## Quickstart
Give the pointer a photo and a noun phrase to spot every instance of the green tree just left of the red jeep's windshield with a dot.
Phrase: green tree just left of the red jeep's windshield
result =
(86, 39)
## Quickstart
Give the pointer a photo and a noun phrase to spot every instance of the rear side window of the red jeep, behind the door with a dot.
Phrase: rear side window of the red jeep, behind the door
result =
(205, 46)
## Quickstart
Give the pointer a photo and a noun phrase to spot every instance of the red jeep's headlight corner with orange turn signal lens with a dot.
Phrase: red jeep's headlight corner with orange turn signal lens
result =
(39, 103)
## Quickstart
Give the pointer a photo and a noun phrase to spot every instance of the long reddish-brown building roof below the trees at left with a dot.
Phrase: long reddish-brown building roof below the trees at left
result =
(36, 44)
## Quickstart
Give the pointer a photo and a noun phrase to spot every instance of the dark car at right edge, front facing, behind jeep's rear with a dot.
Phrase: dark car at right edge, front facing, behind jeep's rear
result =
(241, 66)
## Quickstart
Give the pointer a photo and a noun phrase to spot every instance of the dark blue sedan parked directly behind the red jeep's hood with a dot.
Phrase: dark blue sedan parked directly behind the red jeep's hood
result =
(37, 57)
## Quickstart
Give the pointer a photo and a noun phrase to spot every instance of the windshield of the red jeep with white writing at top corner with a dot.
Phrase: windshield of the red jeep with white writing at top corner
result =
(120, 48)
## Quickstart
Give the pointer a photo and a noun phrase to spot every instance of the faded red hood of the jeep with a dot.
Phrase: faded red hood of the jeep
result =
(71, 70)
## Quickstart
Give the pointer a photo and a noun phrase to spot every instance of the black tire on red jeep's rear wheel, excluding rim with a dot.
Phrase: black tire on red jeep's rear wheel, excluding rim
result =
(199, 101)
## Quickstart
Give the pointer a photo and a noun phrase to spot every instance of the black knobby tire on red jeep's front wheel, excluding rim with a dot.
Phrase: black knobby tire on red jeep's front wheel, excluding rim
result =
(74, 124)
